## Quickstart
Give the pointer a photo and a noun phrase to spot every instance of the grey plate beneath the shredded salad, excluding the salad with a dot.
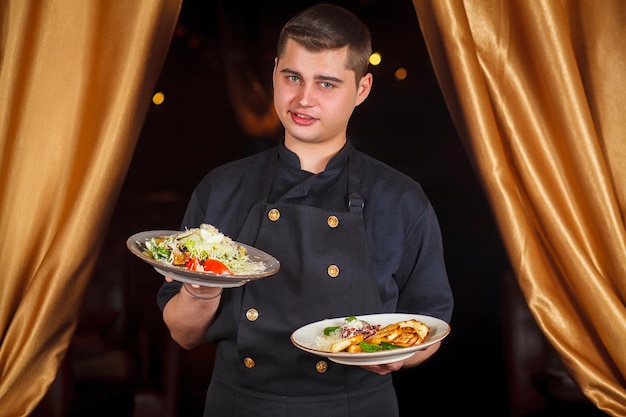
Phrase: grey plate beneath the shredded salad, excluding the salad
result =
(137, 245)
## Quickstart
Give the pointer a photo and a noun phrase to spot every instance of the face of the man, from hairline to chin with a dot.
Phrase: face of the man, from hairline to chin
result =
(315, 95)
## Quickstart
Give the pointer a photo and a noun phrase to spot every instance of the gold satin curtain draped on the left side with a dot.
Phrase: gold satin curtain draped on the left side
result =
(76, 79)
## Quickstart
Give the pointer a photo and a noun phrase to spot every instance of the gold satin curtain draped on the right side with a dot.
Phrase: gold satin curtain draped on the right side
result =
(536, 91)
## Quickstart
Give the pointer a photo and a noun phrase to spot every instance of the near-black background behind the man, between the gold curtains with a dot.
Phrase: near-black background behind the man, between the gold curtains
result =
(403, 123)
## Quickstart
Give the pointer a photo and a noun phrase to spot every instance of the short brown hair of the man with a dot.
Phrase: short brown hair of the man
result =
(327, 26)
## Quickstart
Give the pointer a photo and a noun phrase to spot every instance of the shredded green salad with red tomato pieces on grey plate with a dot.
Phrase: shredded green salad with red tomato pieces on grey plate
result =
(203, 249)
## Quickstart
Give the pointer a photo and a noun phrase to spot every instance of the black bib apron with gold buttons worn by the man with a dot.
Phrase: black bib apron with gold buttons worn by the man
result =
(325, 272)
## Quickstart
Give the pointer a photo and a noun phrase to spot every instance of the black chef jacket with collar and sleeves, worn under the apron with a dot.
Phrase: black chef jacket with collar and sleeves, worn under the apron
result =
(402, 229)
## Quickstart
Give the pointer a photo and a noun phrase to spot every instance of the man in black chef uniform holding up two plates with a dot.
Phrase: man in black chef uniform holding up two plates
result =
(353, 237)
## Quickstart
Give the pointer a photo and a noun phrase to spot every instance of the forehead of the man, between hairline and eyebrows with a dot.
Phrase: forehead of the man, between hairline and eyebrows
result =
(326, 61)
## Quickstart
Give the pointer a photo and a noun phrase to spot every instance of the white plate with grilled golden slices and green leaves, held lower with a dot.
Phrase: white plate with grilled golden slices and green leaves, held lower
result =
(319, 337)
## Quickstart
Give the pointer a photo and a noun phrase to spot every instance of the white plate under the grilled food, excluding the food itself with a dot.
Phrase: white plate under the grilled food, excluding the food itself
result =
(305, 338)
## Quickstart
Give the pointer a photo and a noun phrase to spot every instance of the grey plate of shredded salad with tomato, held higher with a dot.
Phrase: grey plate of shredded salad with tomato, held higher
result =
(202, 256)
